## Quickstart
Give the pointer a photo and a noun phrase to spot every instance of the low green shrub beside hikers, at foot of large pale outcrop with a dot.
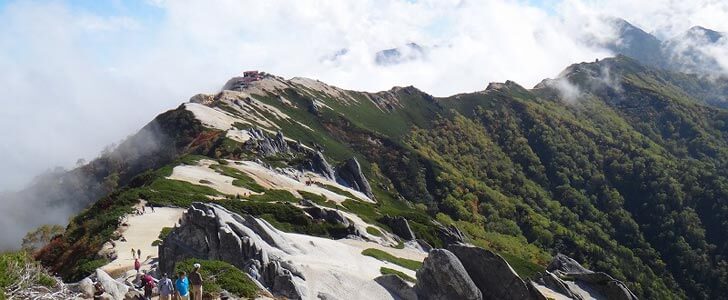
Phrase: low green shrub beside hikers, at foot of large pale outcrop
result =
(218, 276)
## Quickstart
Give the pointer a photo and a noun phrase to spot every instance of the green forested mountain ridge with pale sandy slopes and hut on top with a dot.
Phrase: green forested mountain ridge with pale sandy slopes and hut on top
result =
(617, 165)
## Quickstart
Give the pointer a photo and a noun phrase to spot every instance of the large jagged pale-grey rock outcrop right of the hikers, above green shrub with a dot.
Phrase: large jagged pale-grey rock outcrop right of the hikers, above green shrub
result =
(209, 231)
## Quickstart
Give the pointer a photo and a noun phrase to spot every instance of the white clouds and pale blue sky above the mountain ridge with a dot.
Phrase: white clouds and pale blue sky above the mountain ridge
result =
(76, 78)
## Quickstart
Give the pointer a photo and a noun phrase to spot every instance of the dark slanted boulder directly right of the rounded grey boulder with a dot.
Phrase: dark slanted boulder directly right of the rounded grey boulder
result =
(491, 273)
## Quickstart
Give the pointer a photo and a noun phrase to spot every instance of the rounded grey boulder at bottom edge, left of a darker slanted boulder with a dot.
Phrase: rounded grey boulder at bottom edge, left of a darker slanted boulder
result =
(442, 276)
